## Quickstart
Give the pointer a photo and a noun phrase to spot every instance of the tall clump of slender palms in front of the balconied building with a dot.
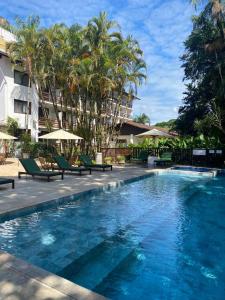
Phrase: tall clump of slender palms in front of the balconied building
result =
(85, 72)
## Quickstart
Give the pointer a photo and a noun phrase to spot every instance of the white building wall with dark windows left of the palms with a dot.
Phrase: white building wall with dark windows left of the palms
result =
(15, 94)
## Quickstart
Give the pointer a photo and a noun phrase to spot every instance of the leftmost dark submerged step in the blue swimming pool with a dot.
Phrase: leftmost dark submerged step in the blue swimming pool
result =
(92, 267)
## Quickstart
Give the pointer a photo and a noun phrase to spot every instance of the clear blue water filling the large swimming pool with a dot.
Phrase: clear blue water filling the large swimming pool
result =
(162, 237)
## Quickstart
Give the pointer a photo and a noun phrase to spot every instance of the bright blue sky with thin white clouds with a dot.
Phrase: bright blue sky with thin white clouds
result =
(160, 27)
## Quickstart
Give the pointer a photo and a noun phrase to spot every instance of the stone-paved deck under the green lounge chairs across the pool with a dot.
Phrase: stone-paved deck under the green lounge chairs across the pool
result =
(29, 192)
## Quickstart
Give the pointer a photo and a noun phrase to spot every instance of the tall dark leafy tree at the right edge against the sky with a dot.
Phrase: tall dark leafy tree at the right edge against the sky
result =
(204, 65)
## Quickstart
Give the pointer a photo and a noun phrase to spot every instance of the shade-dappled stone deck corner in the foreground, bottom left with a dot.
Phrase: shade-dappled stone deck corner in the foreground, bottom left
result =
(23, 273)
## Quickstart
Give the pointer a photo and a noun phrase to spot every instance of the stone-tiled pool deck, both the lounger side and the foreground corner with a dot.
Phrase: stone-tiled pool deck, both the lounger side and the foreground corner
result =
(22, 281)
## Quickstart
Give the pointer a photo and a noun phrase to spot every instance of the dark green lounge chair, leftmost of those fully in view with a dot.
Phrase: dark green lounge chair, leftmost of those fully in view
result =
(33, 169)
